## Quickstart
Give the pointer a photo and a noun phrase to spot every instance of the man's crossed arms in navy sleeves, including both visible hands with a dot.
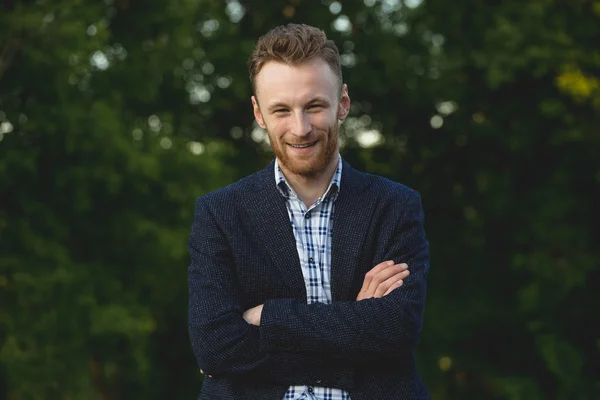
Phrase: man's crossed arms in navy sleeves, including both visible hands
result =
(297, 341)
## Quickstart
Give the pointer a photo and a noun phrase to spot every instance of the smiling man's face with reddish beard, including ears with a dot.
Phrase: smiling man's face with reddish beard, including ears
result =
(300, 106)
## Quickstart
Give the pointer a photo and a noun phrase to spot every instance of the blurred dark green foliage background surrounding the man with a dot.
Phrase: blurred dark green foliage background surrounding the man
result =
(115, 115)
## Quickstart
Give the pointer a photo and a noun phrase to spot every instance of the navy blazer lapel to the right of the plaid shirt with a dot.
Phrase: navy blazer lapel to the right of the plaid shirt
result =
(352, 212)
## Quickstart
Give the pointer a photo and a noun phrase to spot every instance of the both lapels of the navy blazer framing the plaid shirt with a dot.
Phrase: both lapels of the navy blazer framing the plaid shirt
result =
(268, 213)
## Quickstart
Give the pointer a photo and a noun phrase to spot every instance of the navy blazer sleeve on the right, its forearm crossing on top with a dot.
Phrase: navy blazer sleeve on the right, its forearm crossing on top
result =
(382, 328)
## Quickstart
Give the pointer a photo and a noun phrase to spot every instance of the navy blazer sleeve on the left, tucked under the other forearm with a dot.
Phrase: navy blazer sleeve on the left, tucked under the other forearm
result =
(223, 342)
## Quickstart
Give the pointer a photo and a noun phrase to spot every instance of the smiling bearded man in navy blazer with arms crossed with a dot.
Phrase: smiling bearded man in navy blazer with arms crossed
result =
(307, 279)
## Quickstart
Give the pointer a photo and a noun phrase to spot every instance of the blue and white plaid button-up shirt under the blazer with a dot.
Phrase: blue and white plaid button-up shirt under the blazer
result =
(312, 229)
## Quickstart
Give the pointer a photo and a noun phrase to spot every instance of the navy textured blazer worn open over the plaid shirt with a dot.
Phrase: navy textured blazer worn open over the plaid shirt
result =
(243, 253)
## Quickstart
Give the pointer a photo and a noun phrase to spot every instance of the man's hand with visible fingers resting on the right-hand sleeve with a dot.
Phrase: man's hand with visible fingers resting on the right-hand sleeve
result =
(382, 279)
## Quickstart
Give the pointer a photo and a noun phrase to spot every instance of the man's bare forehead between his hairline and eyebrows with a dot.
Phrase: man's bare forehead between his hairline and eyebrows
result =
(282, 82)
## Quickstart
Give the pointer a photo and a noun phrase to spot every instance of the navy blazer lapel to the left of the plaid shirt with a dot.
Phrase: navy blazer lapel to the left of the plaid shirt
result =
(268, 214)
